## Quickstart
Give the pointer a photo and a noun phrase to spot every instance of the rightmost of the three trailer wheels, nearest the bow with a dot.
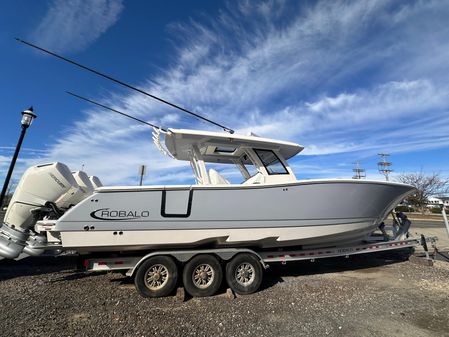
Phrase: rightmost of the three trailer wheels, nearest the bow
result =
(244, 274)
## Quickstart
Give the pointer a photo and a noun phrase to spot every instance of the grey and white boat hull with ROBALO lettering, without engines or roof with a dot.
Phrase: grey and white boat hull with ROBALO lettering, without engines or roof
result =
(319, 213)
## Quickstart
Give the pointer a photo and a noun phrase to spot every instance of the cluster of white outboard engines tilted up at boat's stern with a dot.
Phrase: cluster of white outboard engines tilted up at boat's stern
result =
(43, 191)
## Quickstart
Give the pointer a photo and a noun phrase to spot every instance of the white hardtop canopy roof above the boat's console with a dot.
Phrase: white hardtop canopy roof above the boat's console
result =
(222, 147)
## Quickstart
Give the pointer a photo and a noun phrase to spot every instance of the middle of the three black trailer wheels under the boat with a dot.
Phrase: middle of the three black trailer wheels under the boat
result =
(202, 276)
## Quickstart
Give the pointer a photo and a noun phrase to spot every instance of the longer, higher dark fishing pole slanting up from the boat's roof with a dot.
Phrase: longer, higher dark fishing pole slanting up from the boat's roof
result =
(125, 85)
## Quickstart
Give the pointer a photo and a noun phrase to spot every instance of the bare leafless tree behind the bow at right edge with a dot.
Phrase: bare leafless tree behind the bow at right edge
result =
(426, 186)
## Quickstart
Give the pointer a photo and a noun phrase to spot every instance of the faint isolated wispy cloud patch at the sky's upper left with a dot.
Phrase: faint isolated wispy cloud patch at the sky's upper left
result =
(73, 25)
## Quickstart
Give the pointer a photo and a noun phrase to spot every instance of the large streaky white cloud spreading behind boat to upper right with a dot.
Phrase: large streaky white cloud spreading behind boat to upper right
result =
(339, 77)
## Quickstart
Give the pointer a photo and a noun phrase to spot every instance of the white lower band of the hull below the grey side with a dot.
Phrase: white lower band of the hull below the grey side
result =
(251, 237)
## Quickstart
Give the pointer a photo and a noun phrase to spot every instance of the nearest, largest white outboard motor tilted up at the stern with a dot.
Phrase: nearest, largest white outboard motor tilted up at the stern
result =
(39, 186)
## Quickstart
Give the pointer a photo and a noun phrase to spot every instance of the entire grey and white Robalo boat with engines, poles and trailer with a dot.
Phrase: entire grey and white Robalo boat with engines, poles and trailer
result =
(206, 229)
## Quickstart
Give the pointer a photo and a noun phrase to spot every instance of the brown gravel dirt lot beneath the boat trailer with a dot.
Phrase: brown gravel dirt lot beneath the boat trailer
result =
(361, 296)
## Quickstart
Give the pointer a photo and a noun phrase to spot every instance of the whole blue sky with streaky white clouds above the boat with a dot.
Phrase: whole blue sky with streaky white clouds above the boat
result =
(345, 79)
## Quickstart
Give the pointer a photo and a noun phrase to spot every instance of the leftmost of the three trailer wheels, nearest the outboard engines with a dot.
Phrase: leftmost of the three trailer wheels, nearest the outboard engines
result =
(156, 277)
